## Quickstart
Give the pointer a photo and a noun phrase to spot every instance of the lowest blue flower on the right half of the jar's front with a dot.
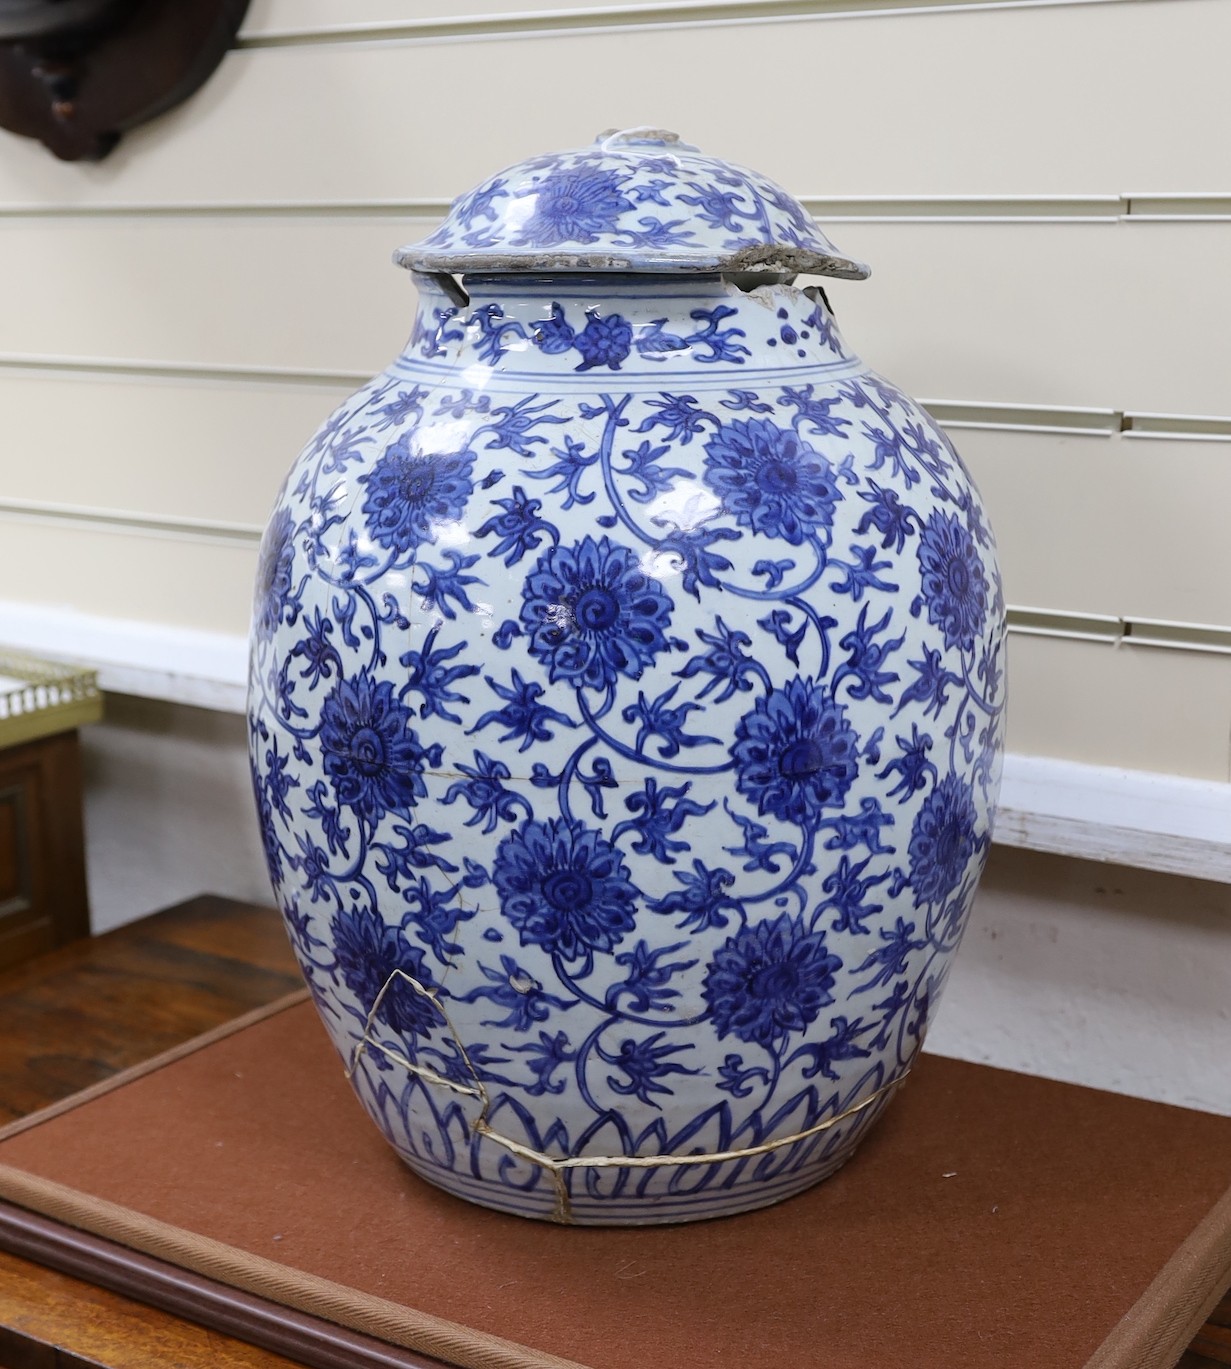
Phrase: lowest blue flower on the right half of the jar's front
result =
(770, 980)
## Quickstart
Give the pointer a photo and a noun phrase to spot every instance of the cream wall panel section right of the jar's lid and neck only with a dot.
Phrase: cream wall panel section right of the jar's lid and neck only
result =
(1107, 316)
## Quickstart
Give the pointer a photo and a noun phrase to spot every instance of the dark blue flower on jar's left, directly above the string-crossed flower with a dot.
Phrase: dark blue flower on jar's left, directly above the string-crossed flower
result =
(370, 752)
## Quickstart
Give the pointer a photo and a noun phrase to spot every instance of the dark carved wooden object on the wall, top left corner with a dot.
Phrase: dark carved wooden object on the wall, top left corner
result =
(76, 75)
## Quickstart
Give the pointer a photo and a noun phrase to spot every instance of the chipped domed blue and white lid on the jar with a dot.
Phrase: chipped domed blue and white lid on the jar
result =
(637, 201)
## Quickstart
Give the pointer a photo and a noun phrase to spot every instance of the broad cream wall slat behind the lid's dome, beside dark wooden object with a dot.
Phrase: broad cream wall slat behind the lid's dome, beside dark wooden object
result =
(917, 103)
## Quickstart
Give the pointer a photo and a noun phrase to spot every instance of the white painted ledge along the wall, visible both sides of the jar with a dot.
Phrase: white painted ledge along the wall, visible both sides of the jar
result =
(1133, 818)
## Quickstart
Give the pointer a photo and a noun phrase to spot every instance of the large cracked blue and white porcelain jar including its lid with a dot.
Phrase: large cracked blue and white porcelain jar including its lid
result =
(626, 703)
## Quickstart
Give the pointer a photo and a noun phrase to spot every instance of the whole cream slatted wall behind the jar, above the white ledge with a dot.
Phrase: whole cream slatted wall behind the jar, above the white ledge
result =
(1044, 192)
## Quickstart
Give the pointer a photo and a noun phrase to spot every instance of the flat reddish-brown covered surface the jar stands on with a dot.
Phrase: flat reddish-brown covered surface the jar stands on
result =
(991, 1219)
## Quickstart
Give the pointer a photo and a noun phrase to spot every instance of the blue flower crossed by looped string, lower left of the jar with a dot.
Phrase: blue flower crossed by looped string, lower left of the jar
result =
(369, 952)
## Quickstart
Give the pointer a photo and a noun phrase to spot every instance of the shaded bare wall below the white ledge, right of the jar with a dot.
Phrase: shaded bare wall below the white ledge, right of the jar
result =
(1096, 974)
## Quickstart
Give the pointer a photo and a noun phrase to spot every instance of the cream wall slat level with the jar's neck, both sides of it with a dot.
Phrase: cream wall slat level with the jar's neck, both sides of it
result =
(1022, 314)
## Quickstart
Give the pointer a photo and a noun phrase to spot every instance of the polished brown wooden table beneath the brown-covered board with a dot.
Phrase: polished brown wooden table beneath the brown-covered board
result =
(79, 1015)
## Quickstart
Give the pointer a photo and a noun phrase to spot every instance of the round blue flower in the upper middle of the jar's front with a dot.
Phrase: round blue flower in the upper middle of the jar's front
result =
(594, 614)
